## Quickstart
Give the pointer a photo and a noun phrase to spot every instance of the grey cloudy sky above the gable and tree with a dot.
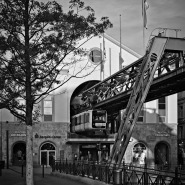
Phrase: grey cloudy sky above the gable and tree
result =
(161, 13)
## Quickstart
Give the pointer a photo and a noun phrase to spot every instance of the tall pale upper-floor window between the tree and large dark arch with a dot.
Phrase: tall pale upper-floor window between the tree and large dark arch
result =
(48, 108)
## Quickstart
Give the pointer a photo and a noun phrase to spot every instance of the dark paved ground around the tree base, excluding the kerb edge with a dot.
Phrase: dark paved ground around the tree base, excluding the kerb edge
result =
(13, 176)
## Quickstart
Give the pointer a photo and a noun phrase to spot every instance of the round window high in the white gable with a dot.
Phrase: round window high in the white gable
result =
(95, 55)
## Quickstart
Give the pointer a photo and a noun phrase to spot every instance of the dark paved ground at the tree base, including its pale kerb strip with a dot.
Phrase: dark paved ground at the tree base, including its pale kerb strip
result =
(13, 176)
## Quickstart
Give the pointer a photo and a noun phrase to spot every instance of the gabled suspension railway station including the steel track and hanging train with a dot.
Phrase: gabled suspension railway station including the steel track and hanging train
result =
(115, 114)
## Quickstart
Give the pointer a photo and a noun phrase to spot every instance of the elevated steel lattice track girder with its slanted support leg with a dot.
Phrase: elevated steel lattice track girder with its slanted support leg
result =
(161, 72)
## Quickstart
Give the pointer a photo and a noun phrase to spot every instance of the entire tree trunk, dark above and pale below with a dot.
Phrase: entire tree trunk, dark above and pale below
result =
(29, 101)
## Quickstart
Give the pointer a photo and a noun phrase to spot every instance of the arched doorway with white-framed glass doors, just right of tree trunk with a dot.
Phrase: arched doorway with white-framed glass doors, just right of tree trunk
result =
(47, 154)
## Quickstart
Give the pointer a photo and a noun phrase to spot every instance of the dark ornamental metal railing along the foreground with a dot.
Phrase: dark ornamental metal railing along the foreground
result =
(126, 174)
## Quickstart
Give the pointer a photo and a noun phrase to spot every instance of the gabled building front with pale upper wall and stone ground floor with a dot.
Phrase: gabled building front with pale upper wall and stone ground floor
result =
(154, 139)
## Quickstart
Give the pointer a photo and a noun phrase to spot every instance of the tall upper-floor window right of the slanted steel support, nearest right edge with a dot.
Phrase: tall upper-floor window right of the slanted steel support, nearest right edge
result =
(162, 110)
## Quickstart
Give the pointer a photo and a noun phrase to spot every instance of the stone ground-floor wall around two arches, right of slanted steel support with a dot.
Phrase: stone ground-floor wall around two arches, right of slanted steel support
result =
(151, 135)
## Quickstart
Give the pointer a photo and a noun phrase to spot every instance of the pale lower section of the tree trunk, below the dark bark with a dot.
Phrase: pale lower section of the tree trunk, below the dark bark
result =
(29, 155)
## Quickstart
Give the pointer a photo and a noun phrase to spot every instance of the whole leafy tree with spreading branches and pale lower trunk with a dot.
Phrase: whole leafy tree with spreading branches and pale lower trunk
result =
(35, 40)
